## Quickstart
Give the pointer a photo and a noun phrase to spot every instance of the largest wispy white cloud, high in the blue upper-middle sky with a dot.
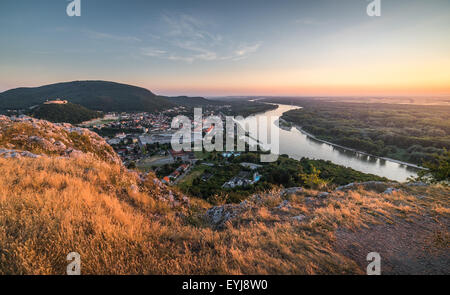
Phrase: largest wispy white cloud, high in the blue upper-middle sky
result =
(188, 39)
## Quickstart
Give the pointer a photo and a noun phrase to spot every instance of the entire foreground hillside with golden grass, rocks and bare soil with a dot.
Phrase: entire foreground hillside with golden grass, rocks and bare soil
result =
(54, 201)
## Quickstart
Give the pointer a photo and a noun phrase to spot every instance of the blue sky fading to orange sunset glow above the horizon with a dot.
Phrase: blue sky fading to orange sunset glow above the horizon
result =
(220, 48)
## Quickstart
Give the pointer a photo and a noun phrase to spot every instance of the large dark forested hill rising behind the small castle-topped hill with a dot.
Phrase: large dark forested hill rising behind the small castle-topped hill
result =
(95, 95)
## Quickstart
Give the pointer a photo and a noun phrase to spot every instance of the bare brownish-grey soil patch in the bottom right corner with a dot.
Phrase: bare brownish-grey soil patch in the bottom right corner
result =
(420, 247)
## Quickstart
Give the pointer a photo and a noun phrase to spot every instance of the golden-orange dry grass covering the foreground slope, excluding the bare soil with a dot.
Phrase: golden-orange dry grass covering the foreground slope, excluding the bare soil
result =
(52, 206)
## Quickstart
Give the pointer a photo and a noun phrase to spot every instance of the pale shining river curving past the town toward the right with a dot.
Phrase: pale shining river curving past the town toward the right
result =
(297, 145)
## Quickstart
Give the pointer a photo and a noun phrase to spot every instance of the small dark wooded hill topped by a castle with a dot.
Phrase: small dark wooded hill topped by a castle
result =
(59, 113)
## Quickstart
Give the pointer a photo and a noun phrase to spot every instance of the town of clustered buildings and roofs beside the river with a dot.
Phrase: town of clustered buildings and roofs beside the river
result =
(143, 141)
